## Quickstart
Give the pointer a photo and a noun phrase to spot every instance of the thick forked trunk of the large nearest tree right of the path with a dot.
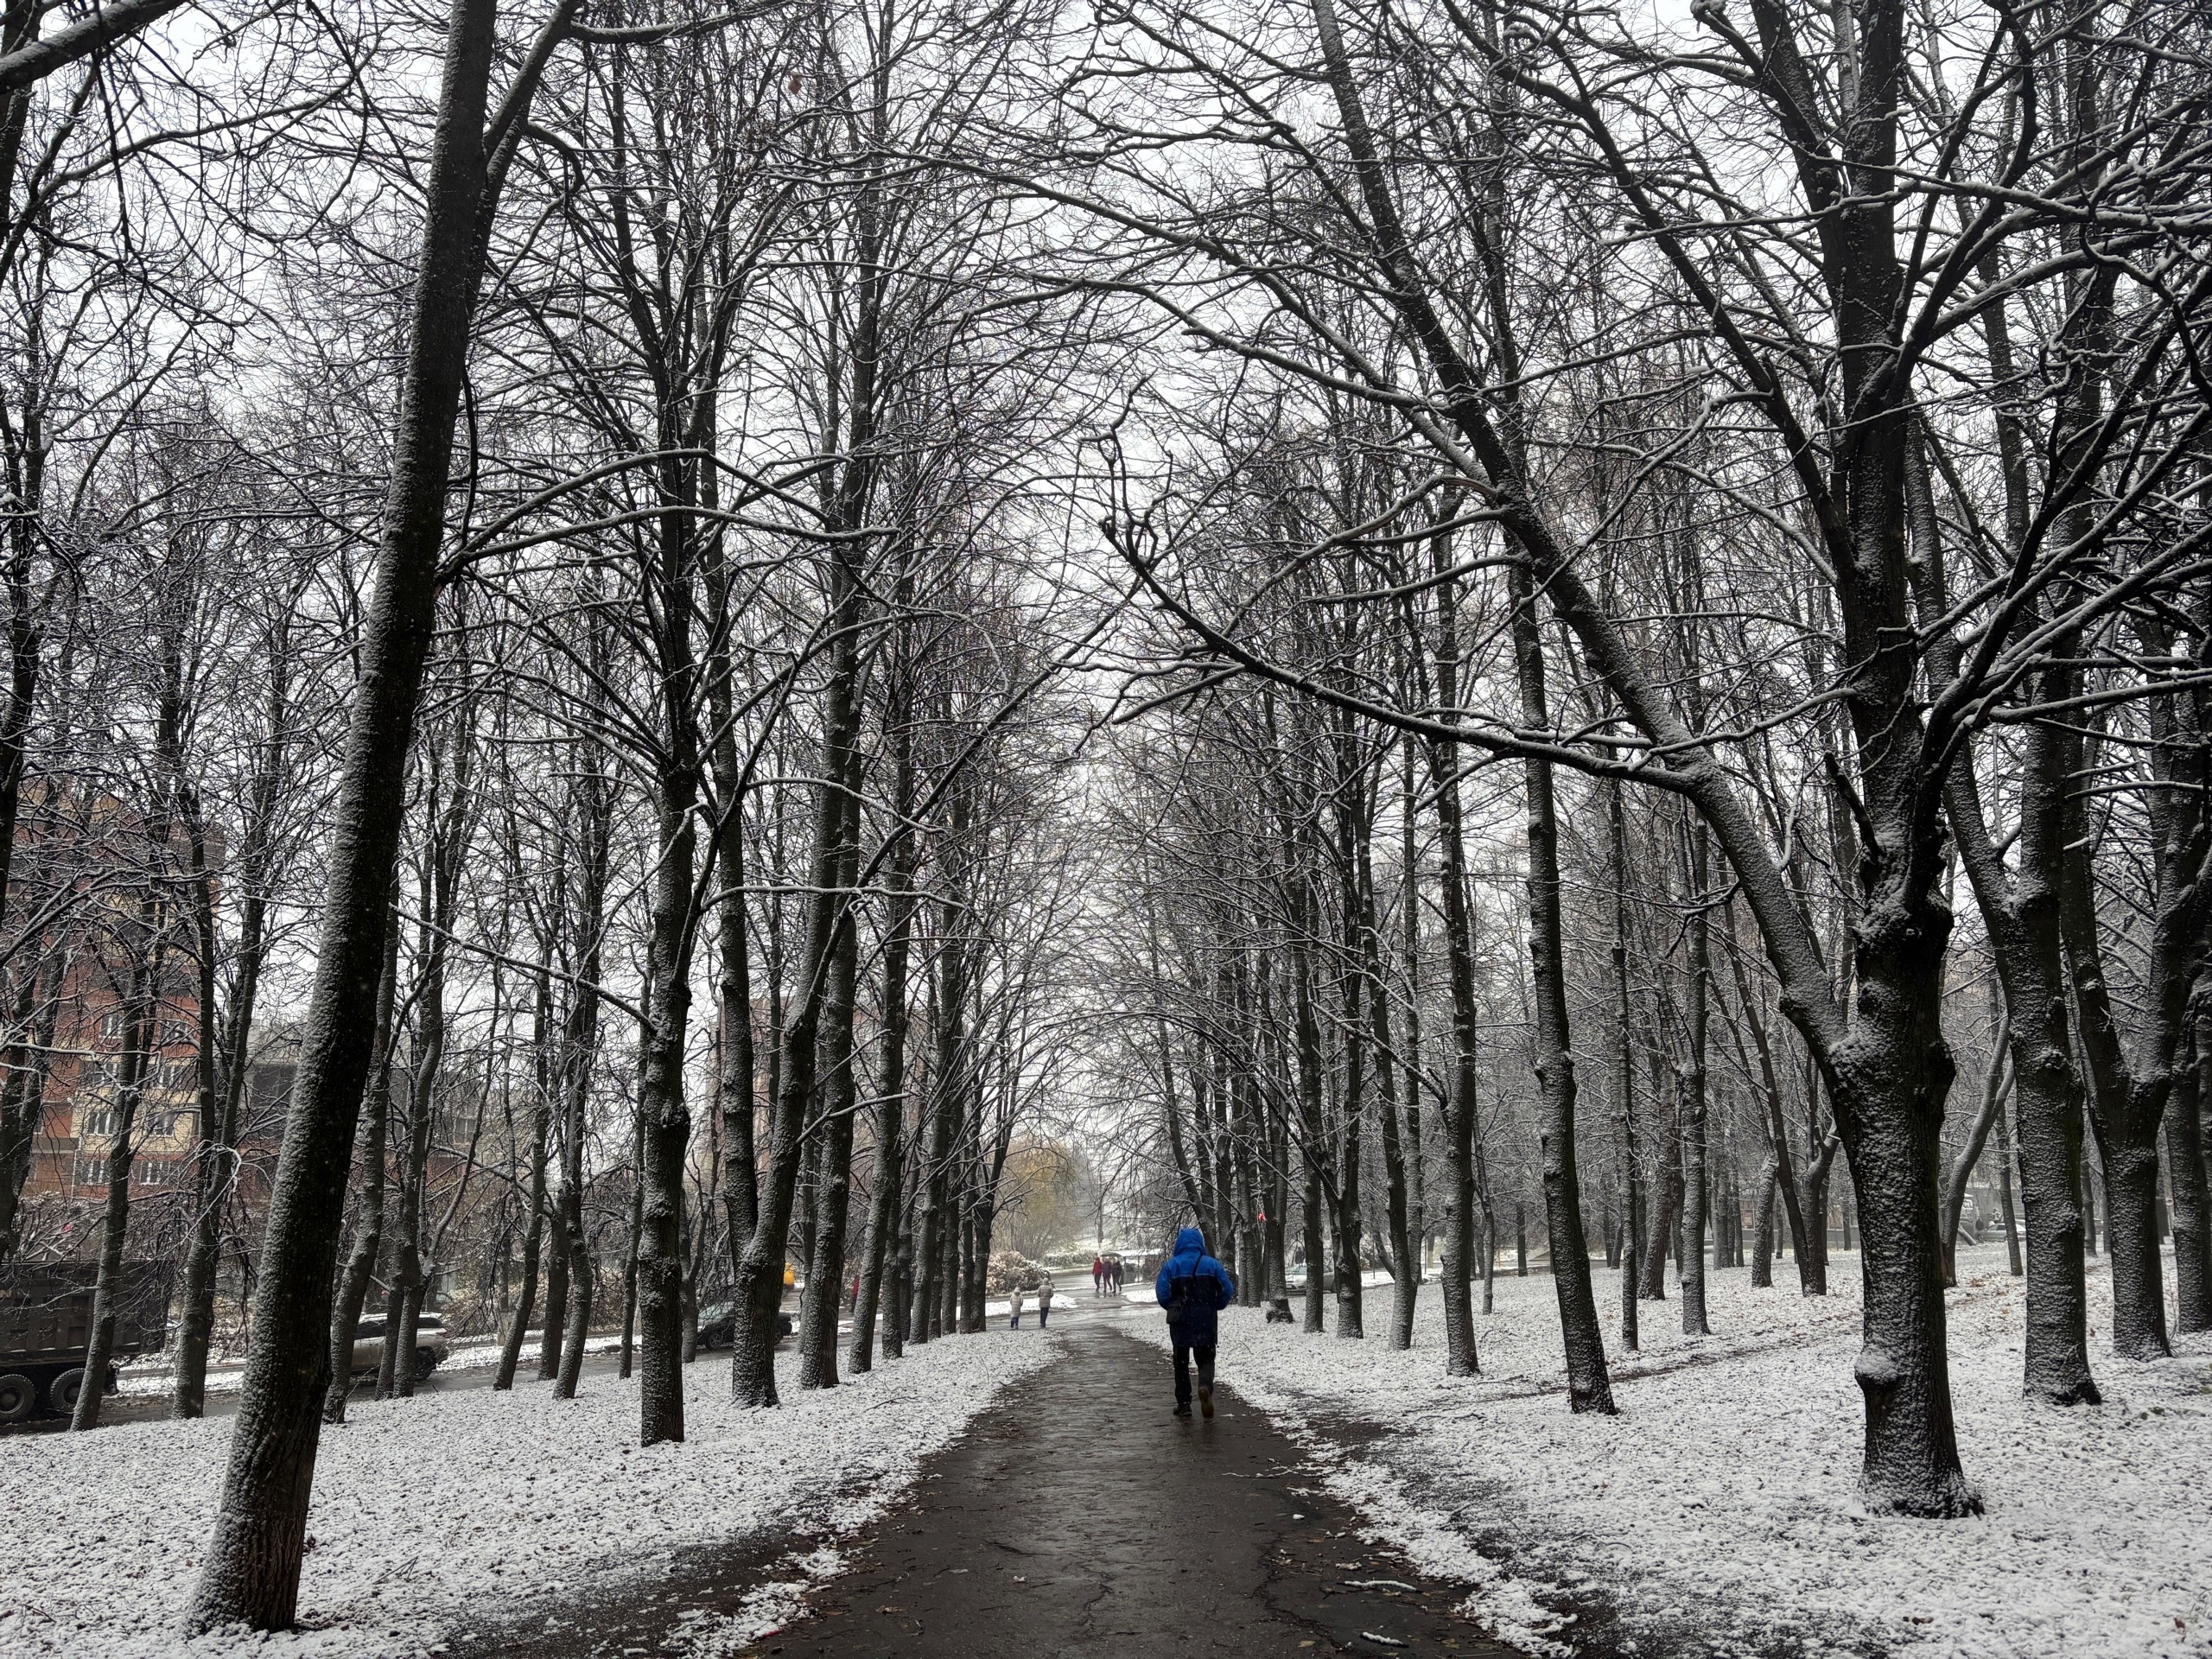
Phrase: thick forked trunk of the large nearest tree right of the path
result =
(1884, 1061)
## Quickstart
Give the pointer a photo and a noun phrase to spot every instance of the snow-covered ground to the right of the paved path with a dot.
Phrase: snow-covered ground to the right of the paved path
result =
(1718, 1512)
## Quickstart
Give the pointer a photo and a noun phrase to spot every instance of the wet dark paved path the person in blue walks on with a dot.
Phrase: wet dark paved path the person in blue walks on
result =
(1081, 1519)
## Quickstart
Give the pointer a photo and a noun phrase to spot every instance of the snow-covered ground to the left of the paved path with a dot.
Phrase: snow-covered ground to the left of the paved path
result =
(424, 1510)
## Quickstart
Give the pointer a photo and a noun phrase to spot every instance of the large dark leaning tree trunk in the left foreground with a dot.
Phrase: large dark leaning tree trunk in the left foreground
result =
(251, 1567)
